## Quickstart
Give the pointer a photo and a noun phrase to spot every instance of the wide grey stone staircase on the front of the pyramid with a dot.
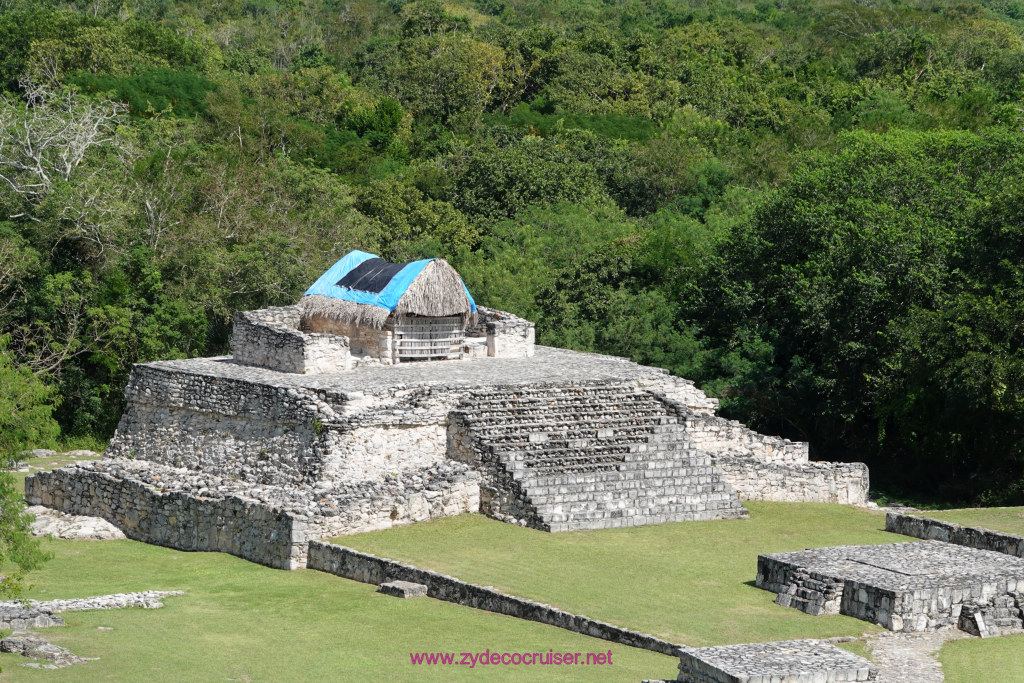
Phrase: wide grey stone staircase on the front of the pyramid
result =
(593, 457)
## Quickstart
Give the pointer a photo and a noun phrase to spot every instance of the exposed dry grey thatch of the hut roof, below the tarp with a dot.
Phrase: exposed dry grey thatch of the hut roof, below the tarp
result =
(438, 291)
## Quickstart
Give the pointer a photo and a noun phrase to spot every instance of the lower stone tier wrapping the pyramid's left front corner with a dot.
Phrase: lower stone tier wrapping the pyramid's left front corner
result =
(266, 525)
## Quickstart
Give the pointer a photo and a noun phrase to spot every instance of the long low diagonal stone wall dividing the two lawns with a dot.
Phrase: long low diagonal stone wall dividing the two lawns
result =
(372, 570)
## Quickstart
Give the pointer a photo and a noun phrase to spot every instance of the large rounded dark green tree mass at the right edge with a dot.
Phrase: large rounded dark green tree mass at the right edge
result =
(864, 307)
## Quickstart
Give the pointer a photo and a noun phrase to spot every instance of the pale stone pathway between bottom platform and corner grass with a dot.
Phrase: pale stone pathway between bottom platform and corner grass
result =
(911, 657)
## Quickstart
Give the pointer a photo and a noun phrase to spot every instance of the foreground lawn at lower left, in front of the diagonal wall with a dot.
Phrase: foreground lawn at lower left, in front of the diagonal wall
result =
(243, 622)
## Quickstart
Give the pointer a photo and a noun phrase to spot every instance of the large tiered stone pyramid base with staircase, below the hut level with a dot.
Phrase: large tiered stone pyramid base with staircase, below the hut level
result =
(215, 455)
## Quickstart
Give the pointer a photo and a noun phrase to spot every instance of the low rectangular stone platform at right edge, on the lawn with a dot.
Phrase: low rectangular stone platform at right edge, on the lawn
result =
(904, 587)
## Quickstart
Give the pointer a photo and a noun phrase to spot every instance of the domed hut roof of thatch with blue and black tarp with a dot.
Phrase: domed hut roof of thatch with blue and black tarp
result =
(365, 290)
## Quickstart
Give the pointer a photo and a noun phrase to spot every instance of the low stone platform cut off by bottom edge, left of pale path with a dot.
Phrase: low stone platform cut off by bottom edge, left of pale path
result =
(786, 662)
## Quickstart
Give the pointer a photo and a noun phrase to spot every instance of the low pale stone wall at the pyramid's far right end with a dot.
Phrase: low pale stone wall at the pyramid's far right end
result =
(795, 483)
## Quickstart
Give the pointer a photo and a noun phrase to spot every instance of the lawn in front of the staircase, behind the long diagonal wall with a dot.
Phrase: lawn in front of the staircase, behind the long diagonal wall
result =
(691, 583)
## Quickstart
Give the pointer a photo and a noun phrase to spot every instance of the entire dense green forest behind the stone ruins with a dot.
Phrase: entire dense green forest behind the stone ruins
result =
(814, 208)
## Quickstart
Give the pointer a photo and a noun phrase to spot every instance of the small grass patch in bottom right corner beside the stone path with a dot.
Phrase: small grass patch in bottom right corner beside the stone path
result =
(990, 661)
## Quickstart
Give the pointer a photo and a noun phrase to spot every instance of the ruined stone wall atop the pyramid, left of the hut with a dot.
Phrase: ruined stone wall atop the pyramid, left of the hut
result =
(271, 338)
